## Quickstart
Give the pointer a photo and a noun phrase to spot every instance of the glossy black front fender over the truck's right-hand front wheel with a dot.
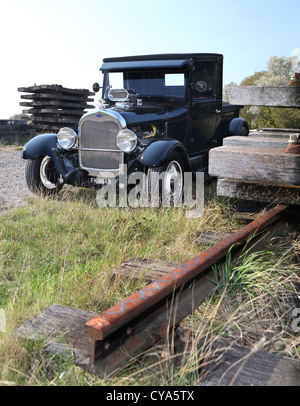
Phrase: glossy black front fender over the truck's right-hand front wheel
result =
(159, 151)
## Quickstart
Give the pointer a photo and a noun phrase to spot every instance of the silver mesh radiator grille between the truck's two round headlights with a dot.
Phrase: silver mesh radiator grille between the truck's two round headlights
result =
(98, 150)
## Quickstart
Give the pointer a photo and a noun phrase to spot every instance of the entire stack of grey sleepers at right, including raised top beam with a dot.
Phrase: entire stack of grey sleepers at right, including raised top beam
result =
(258, 168)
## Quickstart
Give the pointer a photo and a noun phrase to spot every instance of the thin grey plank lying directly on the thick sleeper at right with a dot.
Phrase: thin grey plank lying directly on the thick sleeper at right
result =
(256, 142)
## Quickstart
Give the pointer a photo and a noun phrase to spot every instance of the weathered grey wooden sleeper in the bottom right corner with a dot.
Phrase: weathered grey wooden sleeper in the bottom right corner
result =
(233, 365)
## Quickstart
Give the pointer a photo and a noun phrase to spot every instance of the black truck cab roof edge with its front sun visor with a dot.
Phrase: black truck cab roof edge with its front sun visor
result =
(160, 61)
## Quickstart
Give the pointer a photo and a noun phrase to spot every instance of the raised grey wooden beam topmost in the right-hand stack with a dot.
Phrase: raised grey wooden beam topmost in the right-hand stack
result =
(272, 96)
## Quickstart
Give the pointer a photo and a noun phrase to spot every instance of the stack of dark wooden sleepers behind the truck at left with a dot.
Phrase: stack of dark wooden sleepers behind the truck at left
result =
(54, 106)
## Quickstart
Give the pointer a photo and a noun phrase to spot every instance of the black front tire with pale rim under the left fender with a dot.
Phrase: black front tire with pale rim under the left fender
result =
(42, 177)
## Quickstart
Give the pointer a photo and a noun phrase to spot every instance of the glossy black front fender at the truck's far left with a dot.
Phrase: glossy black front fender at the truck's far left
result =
(46, 144)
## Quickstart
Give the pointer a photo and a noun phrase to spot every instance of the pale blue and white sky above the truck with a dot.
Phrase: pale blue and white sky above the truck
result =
(64, 41)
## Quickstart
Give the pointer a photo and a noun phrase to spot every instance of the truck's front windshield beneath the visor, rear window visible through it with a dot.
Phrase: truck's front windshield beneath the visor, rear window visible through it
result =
(147, 83)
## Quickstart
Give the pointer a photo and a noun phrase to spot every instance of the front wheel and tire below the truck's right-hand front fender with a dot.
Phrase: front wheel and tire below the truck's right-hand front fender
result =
(161, 188)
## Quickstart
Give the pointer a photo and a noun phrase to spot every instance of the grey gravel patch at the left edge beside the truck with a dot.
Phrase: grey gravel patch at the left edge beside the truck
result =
(13, 188)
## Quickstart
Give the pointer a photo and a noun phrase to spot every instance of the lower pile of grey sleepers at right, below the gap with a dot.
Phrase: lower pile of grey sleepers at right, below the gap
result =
(257, 167)
